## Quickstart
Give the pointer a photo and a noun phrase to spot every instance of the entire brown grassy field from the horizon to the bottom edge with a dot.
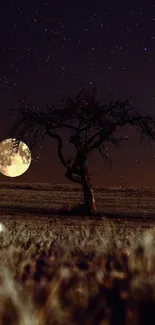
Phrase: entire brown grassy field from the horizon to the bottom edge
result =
(69, 270)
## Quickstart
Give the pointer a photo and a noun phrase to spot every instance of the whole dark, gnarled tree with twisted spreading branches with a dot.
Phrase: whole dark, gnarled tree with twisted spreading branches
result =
(90, 124)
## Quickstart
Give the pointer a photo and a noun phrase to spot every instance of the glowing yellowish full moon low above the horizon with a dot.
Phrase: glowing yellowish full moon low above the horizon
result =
(14, 161)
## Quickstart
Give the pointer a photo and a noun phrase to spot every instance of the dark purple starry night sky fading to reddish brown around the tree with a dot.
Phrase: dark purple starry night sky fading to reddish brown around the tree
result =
(49, 48)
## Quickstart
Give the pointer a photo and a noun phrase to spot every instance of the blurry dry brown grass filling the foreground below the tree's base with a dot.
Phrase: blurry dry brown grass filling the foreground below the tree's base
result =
(63, 273)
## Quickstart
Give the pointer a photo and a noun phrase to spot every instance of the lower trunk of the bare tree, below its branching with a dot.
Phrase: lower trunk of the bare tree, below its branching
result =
(89, 198)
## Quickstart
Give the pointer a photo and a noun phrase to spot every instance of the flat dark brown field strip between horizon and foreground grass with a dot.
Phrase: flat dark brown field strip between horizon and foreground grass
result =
(47, 198)
